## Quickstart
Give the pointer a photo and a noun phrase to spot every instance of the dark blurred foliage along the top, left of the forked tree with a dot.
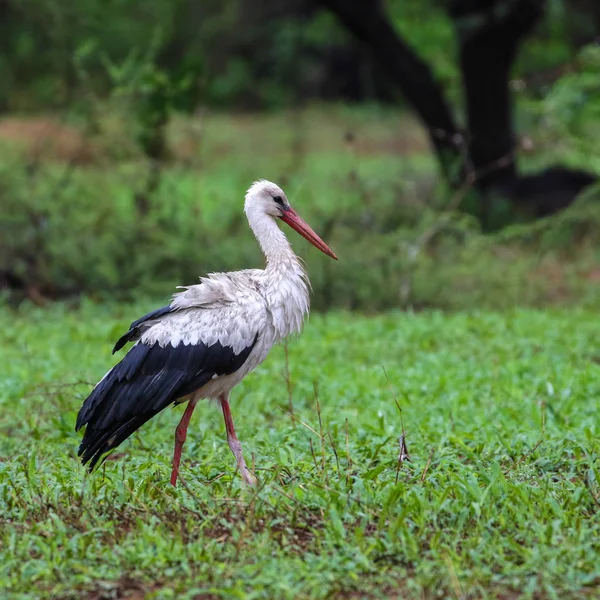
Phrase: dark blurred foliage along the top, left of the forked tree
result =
(210, 46)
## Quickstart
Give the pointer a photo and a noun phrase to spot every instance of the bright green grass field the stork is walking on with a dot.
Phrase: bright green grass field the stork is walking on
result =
(501, 497)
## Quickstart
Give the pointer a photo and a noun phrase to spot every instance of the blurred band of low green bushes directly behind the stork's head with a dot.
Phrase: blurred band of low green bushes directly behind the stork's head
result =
(68, 231)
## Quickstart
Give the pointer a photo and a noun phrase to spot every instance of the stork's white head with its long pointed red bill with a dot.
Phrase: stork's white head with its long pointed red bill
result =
(268, 198)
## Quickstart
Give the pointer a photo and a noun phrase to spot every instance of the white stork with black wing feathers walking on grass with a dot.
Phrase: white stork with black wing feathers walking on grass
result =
(206, 340)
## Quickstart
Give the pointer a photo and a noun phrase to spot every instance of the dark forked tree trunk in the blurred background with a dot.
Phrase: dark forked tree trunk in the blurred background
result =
(489, 33)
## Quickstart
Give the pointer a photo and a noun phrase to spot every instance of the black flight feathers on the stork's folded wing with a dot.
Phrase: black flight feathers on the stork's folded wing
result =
(146, 381)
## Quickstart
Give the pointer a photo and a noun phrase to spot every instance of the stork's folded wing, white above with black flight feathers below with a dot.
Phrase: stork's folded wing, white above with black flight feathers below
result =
(178, 352)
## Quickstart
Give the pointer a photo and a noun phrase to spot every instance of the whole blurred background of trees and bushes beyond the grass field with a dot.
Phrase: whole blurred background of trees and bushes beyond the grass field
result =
(448, 150)
